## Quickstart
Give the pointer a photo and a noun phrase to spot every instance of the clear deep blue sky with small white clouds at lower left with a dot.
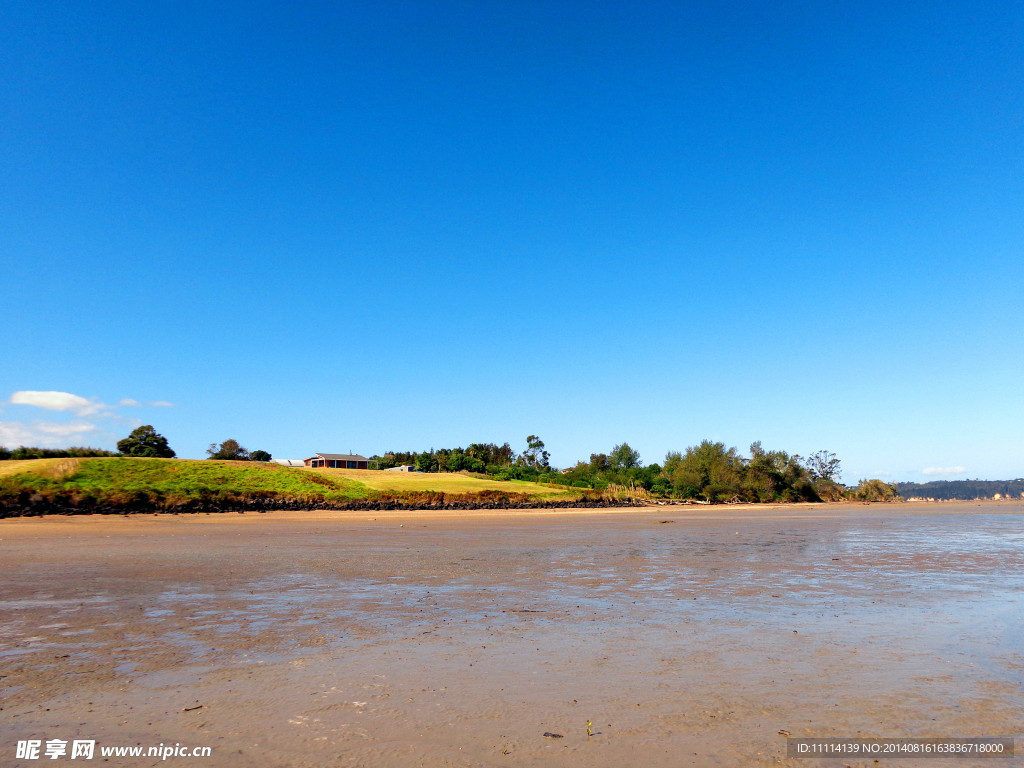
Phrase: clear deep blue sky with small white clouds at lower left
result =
(397, 226)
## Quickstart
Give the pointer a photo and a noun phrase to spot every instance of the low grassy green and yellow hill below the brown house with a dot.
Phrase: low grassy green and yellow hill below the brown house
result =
(125, 485)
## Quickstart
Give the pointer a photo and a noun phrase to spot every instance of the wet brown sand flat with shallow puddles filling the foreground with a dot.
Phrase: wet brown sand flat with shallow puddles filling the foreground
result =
(687, 636)
